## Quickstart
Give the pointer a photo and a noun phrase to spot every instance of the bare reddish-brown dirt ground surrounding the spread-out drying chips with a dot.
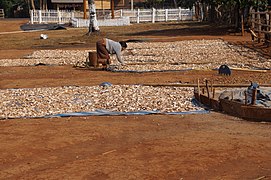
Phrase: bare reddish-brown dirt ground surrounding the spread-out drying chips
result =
(206, 146)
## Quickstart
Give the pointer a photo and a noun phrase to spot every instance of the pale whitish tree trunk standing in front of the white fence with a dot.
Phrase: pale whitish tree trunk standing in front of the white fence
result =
(93, 23)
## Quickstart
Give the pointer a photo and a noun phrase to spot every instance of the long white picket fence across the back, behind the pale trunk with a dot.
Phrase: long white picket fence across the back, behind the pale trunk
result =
(135, 16)
